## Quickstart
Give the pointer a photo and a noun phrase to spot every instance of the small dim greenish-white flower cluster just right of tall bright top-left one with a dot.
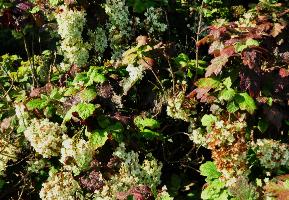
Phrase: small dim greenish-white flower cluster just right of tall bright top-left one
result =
(98, 39)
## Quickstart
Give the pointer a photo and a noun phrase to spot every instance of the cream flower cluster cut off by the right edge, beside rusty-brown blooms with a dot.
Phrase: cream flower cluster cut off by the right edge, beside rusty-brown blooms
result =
(271, 153)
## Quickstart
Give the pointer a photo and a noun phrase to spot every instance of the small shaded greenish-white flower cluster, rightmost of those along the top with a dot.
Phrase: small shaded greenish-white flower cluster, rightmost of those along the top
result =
(153, 18)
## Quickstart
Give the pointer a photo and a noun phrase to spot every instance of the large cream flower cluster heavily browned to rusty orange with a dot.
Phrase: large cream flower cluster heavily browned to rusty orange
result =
(227, 142)
